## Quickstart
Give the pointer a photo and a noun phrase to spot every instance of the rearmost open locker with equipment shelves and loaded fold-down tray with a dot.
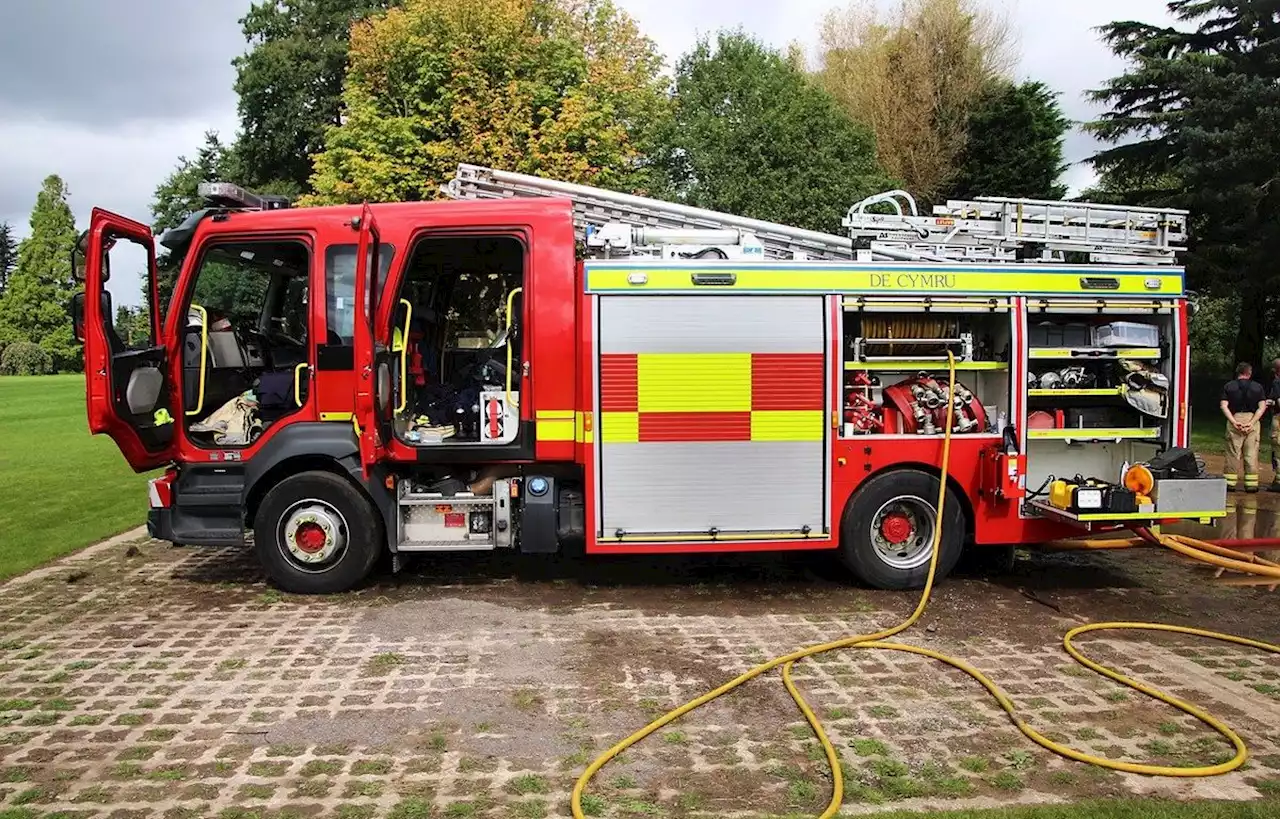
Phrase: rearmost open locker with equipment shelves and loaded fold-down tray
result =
(1103, 396)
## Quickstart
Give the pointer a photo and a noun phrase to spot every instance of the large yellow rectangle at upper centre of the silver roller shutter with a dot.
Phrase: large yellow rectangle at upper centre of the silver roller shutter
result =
(694, 382)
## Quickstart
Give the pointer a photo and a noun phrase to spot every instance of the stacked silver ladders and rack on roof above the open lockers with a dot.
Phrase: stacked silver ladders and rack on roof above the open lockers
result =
(1017, 230)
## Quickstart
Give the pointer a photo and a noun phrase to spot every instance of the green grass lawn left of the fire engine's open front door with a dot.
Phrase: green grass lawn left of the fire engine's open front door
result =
(63, 488)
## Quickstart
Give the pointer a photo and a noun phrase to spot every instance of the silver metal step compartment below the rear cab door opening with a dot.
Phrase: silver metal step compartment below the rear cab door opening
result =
(463, 521)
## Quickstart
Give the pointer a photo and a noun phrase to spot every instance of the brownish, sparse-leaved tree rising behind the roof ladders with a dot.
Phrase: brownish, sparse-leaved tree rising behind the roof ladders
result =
(915, 79)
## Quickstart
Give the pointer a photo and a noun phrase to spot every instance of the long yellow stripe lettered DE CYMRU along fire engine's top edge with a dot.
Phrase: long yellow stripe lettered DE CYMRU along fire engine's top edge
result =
(881, 281)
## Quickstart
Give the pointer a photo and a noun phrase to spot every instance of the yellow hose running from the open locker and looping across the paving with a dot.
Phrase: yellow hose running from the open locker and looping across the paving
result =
(1188, 547)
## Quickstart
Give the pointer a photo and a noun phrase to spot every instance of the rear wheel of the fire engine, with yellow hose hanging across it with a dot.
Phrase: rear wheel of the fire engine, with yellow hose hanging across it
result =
(899, 557)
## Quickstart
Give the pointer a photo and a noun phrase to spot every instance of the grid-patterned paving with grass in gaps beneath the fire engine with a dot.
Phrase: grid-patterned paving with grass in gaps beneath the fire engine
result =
(143, 681)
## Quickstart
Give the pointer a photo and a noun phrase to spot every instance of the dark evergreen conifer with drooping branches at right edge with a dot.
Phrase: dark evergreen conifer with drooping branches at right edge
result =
(1195, 122)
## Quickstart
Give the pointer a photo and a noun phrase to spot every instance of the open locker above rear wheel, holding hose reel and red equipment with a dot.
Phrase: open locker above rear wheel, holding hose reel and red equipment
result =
(895, 367)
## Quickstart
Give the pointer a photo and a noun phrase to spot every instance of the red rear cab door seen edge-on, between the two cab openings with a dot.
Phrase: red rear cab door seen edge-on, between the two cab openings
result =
(373, 364)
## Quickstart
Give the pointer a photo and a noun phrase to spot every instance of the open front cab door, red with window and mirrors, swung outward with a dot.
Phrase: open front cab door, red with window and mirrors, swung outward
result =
(127, 386)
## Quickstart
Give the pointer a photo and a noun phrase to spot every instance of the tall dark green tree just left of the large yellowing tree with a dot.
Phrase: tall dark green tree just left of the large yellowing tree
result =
(290, 85)
